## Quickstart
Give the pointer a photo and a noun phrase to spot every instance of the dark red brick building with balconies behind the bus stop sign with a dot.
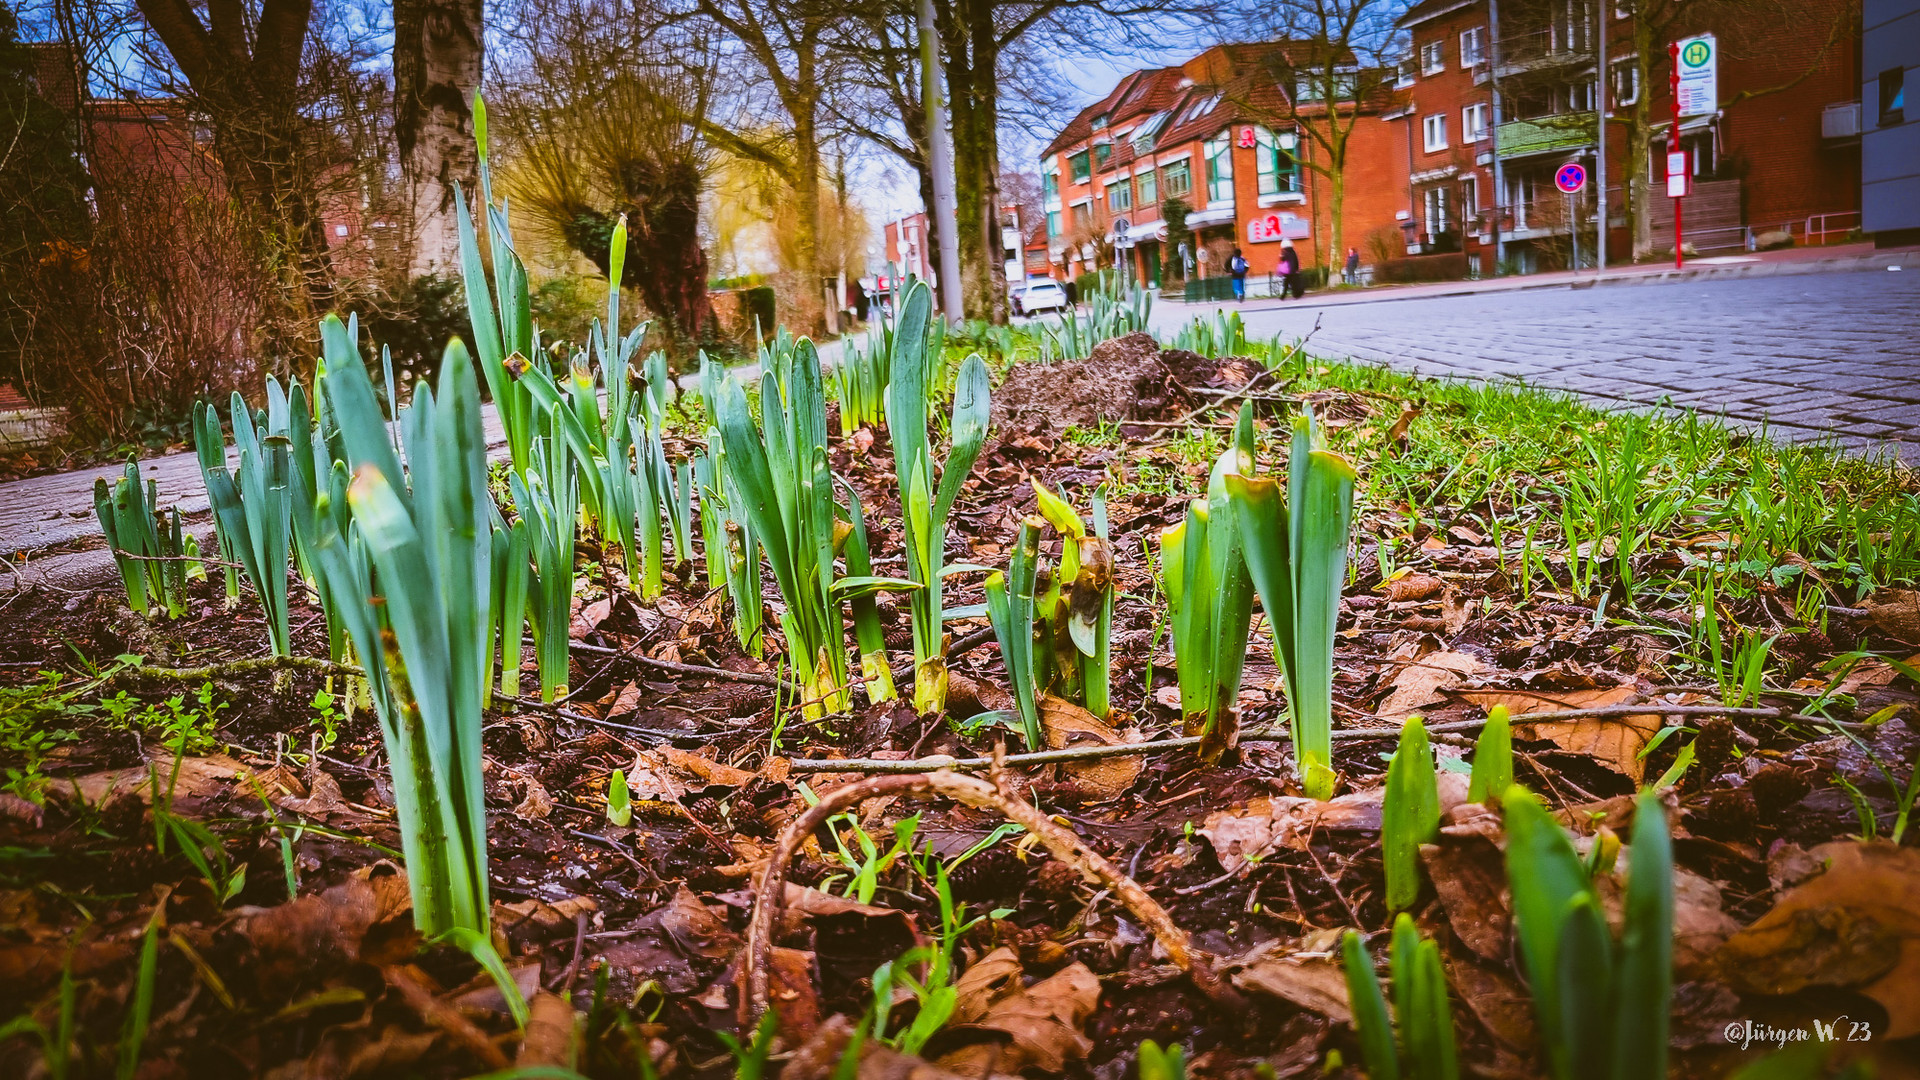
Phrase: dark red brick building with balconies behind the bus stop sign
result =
(1775, 151)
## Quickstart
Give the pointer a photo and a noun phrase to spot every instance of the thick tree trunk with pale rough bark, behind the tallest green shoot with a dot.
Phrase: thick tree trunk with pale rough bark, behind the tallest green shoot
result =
(437, 70)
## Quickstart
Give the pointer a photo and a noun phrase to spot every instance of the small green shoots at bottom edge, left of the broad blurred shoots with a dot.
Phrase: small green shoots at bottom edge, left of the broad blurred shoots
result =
(1424, 1048)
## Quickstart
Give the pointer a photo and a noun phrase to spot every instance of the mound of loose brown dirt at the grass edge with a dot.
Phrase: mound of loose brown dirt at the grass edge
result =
(1126, 380)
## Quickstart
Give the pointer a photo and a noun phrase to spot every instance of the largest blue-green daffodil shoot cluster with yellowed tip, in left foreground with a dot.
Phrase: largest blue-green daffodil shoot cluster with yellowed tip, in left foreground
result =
(414, 583)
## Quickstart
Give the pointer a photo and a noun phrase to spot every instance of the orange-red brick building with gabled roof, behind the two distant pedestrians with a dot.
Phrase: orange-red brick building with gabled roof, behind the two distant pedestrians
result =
(1207, 134)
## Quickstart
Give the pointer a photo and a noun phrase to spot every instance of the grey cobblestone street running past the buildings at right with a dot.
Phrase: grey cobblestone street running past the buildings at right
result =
(1806, 355)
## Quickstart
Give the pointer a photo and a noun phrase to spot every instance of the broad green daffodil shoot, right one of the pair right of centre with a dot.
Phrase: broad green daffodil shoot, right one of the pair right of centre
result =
(1297, 554)
